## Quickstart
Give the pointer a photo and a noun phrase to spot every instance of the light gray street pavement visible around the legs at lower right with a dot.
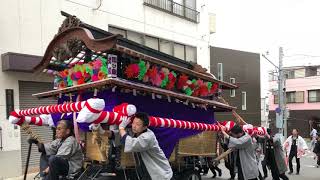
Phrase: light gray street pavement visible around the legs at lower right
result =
(308, 170)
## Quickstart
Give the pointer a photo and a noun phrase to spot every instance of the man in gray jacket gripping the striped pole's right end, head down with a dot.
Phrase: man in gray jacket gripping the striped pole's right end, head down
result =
(244, 153)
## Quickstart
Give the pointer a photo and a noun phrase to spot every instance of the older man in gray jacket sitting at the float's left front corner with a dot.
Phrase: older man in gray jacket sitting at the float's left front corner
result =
(61, 157)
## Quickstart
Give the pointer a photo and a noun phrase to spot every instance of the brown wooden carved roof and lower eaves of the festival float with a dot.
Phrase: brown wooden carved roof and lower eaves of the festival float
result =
(80, 43)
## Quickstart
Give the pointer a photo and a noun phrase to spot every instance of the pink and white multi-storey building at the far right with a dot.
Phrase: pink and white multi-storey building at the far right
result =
(302, 98)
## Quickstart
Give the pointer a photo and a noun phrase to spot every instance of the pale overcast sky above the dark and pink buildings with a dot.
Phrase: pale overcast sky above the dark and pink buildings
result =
(265, 25)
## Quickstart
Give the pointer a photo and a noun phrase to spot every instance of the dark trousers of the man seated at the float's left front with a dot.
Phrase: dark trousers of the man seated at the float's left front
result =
(57, 167)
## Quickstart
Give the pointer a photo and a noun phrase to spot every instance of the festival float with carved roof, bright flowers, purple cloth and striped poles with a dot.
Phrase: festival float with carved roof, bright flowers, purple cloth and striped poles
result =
(100, 77)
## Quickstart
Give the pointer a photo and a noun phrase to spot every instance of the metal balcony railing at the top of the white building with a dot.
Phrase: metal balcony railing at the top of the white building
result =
(174, 8)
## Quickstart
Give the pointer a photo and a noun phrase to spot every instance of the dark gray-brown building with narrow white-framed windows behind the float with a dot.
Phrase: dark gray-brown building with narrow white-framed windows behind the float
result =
(243, 69)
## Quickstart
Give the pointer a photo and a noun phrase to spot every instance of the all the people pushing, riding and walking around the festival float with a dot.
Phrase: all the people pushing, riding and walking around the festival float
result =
(64, 156)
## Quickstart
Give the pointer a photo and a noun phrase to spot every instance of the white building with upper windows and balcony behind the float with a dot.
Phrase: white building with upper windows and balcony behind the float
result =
(180, 28)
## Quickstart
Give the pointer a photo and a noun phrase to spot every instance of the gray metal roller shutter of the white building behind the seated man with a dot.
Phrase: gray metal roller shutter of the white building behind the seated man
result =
(26, 89)
